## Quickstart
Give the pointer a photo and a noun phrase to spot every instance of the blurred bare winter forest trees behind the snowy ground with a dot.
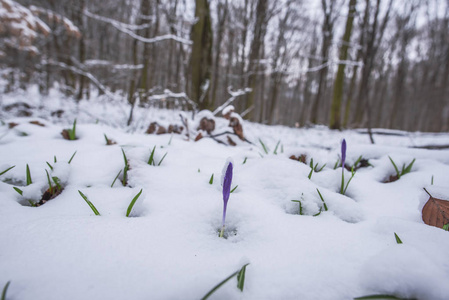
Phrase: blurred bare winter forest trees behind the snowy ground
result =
(342, 63)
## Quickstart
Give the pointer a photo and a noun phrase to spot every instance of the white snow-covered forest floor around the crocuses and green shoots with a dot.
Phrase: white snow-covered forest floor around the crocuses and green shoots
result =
(170, 249)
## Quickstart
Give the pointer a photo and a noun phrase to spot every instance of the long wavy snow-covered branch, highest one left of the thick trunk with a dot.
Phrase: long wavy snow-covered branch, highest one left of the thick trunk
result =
(125, 29)
